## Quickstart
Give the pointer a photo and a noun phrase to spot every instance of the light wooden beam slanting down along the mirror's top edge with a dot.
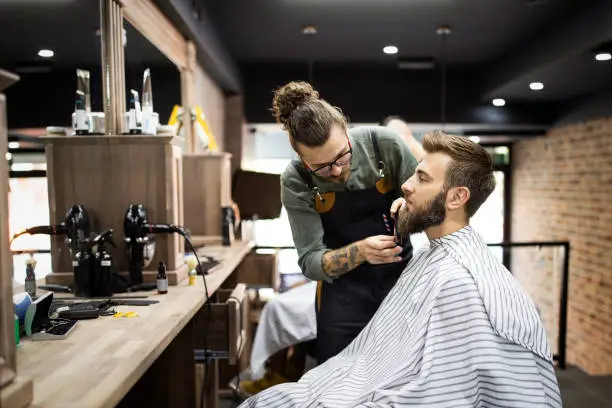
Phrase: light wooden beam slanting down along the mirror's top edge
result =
(147, 18)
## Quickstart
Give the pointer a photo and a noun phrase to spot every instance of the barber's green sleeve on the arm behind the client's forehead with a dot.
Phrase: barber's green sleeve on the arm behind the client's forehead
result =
(400, 164)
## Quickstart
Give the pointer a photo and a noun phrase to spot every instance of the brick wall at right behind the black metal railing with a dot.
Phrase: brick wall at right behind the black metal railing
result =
(562, 190)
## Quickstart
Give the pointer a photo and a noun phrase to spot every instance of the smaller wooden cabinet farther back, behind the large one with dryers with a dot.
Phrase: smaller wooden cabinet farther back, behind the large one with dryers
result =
(206, 190)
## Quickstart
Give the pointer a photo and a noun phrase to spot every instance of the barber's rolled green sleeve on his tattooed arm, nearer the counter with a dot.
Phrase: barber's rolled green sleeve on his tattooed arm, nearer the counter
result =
(306, 226)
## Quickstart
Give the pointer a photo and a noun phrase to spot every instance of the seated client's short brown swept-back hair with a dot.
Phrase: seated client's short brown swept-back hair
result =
(471, 166)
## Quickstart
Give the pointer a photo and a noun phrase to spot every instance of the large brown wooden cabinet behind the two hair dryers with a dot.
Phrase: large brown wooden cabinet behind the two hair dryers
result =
(107, 173)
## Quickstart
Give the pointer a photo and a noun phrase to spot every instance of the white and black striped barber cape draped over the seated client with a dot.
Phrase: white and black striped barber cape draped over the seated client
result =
(455, 331)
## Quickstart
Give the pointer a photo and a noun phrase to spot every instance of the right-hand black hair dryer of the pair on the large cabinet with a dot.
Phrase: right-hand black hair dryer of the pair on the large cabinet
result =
(140, 239)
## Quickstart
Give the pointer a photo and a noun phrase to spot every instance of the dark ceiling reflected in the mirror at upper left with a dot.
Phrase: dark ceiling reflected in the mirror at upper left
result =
(69, 28)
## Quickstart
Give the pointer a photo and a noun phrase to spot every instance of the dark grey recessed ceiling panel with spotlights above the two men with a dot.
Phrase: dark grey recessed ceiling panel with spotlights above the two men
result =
(356, 30)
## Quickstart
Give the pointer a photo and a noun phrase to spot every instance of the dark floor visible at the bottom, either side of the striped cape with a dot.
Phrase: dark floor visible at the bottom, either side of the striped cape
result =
(577, 388)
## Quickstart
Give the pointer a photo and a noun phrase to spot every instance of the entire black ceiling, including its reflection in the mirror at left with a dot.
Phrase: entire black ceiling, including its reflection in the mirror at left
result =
(496, 48)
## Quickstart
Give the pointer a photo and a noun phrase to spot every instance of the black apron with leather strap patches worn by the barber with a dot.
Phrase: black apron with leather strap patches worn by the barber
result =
(344, 307)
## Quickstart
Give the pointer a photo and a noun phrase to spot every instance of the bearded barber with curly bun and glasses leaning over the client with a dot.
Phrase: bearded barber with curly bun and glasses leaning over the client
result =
(338, 196)
